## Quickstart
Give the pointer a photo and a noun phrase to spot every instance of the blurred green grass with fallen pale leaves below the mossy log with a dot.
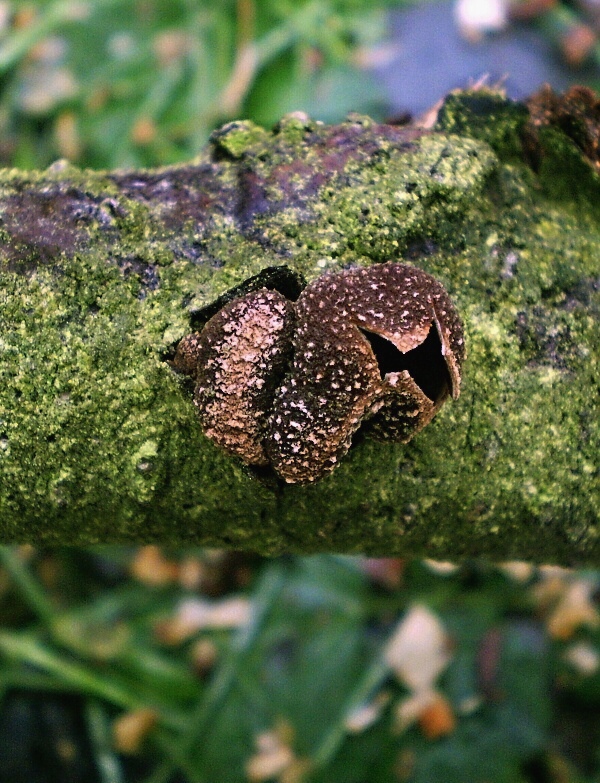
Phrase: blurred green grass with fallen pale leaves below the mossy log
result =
(211, 666)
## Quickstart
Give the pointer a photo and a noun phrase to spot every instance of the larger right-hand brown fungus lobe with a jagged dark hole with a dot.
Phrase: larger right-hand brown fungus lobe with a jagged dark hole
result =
(380, 346)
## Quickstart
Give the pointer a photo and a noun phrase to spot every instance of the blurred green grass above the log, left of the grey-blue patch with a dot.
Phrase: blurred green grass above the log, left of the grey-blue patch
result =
(120, 83)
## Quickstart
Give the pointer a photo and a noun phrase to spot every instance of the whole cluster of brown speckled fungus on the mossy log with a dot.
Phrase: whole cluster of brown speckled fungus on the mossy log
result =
(287, 384)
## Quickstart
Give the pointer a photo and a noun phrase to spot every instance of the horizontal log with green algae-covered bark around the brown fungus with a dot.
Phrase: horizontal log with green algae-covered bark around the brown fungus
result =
(101, 275)
